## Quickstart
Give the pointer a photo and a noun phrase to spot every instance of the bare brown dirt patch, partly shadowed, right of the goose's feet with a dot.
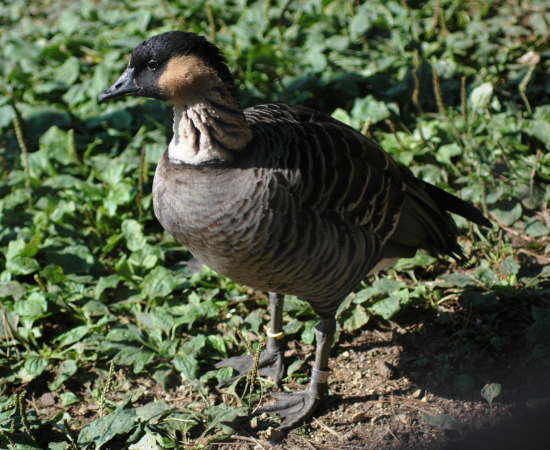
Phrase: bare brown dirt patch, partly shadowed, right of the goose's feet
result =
(418, 387)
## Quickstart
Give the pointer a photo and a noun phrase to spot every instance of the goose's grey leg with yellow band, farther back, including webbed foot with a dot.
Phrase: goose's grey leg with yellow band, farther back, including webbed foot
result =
(271, 359)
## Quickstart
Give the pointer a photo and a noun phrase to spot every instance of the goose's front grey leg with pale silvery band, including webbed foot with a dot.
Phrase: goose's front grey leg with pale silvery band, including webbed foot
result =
(294, 407)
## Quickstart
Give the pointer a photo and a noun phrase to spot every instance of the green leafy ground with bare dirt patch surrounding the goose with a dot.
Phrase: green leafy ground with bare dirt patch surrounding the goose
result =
(109, 334)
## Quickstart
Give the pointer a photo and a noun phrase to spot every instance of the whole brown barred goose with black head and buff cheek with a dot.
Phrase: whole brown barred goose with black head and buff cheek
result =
(280, 198)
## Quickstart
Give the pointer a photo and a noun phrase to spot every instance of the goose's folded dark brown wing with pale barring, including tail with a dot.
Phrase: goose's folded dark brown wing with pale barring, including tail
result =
(338, 171)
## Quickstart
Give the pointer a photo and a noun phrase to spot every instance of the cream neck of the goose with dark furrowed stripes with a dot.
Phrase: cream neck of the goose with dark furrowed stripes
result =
(210, 129)
